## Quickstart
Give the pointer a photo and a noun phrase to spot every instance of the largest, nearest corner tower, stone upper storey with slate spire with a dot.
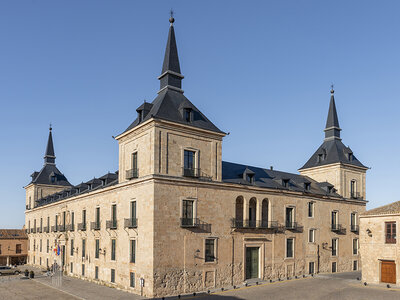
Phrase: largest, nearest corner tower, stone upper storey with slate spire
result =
(170, 136)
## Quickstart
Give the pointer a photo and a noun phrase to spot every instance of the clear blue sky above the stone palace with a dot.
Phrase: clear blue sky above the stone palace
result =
(260, 70)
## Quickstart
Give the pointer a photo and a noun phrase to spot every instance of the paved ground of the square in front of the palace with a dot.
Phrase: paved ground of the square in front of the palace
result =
(330, 286)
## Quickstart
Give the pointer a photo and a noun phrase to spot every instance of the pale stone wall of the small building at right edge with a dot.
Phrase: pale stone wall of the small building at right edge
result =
(376, 247)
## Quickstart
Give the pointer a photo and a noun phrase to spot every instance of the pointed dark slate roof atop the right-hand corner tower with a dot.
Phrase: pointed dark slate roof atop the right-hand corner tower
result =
(332, 149)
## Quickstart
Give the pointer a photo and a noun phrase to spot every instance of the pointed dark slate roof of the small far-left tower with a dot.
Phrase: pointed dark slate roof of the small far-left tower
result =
(49, 174)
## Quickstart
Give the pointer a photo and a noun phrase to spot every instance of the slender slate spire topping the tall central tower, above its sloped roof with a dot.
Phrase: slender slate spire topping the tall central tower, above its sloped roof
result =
(171, 76)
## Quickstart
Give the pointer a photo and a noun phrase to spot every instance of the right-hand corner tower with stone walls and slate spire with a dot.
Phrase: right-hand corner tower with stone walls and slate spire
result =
(335, 163)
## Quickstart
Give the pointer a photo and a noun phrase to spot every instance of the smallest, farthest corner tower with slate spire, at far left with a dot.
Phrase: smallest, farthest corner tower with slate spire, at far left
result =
(48, 180)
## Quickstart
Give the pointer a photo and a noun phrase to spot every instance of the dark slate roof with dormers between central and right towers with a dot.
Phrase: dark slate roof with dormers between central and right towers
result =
(234, 173)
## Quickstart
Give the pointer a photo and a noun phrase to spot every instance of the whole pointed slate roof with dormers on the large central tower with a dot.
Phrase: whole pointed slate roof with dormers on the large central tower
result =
(170, 103)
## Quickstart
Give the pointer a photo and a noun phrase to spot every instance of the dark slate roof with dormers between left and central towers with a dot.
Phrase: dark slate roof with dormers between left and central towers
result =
(104, 181)
